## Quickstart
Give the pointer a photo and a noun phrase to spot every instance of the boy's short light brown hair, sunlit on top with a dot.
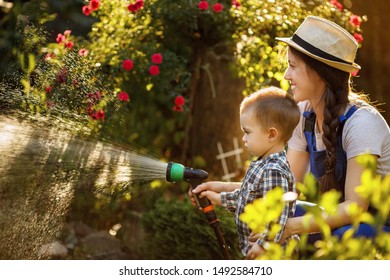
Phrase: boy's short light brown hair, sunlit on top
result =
(273, 107)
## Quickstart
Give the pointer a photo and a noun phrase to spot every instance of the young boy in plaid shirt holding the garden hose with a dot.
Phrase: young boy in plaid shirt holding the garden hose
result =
(268, 118)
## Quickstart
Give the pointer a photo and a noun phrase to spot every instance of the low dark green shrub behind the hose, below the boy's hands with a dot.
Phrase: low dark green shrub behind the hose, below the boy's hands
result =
(177, 230)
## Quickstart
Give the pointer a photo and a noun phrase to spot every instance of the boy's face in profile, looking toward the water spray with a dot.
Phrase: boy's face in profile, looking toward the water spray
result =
(256, 138)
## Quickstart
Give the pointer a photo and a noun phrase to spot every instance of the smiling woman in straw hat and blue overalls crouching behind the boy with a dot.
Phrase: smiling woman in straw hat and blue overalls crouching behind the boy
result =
(336, 126)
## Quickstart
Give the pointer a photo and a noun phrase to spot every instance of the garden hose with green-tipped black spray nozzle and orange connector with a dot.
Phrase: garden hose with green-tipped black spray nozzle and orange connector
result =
(177, 172)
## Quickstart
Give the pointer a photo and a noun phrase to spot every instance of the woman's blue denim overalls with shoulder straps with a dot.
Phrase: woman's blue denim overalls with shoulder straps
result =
(317, 168)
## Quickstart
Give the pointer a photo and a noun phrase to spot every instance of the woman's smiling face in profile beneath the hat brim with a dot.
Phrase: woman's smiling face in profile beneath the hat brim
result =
(305, 83)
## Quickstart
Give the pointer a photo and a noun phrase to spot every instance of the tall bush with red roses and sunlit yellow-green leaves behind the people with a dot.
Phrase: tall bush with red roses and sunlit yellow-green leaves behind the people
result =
(148, 49)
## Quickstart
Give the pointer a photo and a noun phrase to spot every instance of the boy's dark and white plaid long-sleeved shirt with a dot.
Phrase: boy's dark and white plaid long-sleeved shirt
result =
(262, 176)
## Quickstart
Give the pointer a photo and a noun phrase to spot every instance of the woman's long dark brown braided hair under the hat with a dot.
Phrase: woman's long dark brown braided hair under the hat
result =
(336, 100)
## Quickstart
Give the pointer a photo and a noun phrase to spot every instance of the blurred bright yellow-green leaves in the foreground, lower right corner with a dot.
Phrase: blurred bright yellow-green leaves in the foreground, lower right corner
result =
(374, 188)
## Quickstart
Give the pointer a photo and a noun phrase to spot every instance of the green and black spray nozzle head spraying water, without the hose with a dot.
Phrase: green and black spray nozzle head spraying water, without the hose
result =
(178, 172)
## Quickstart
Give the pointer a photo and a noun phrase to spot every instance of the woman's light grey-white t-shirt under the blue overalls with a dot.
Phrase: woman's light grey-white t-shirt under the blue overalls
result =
(366, 131)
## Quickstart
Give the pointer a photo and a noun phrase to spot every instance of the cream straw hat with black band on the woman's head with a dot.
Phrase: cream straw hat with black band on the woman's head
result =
(325, 41)
